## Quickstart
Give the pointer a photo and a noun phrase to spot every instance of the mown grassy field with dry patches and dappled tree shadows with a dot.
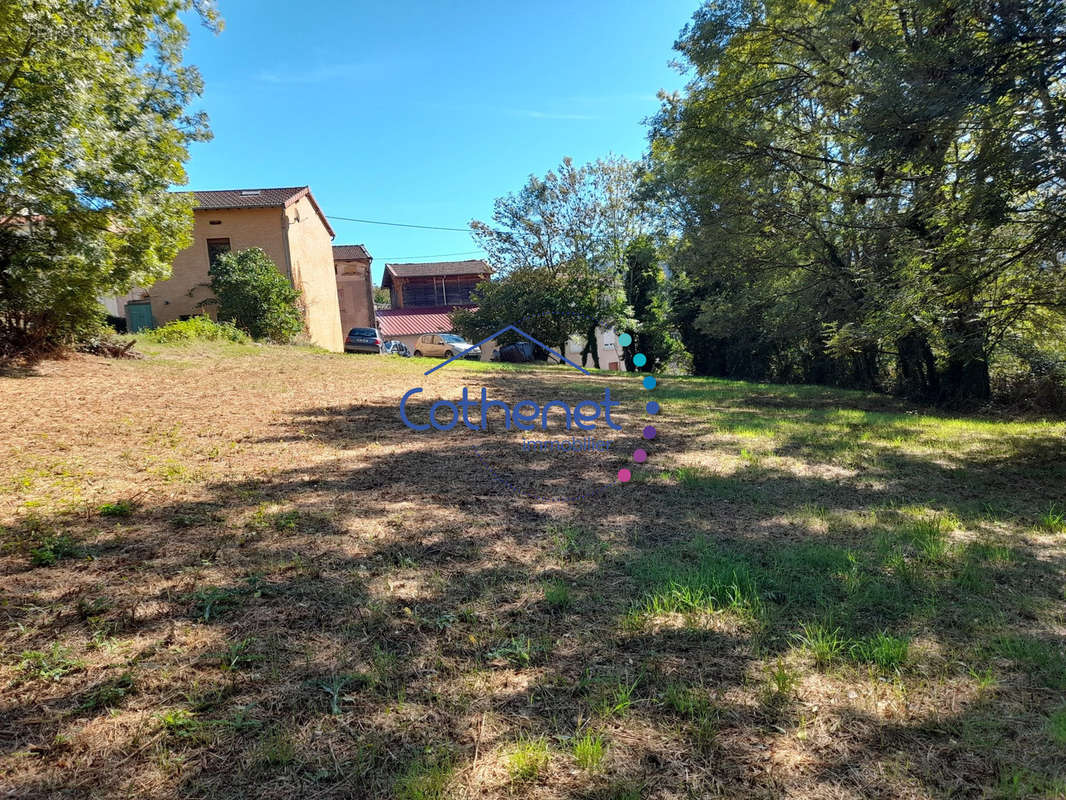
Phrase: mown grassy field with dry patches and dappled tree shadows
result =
(230, 571)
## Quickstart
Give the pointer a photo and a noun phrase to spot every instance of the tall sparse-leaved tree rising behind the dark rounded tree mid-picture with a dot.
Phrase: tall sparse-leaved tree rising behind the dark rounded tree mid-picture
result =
(574, 226)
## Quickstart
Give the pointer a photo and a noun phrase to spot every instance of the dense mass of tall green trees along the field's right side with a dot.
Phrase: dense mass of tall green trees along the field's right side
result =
(867, 194)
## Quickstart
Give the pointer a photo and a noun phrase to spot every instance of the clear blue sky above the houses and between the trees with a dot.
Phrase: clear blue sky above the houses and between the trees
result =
(425, 111)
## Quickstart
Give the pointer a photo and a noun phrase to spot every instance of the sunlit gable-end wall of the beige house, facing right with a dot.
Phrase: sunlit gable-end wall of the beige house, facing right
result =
(311, 254)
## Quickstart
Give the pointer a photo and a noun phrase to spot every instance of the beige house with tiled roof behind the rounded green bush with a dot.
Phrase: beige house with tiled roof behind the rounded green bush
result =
(285, 223)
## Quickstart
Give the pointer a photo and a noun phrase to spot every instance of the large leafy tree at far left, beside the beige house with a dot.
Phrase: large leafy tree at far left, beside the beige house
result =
(93, 133)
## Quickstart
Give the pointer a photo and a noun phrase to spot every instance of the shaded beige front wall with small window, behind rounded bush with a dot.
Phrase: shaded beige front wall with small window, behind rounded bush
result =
(189, 284)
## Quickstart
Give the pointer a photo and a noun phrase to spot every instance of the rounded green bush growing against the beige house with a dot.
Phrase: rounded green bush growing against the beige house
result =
(253, 295)
